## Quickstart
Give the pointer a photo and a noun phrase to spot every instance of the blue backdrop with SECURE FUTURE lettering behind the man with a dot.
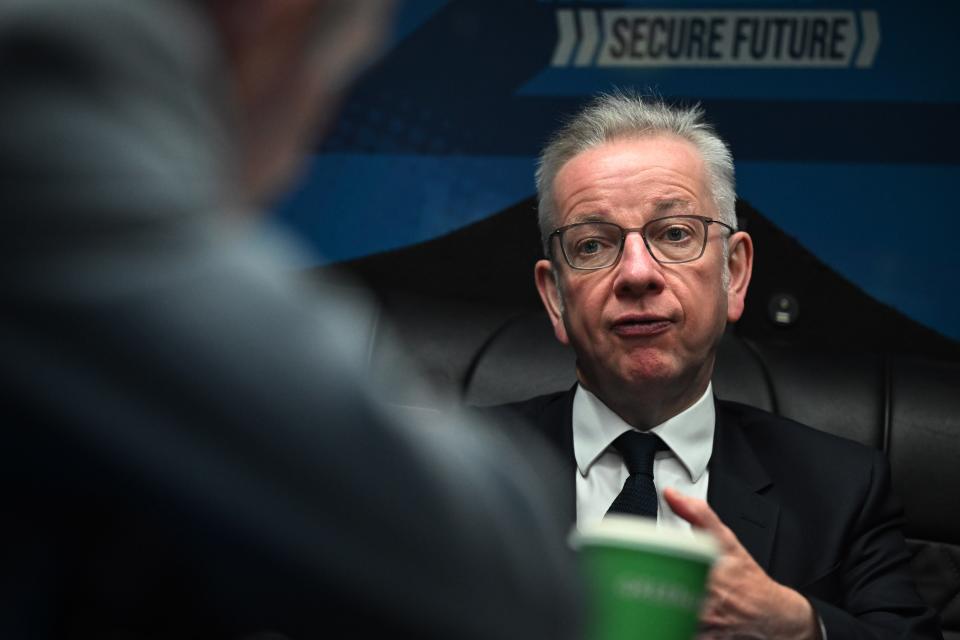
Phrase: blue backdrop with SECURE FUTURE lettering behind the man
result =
(847, 144)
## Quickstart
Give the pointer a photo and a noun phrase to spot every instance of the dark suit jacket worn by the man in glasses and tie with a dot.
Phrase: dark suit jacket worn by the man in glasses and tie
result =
(814, 510)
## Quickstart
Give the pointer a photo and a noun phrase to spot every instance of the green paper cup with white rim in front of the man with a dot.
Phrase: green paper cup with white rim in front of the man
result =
(643, 581)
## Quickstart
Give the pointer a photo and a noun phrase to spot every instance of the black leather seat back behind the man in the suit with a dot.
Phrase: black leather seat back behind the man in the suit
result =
(908, 408)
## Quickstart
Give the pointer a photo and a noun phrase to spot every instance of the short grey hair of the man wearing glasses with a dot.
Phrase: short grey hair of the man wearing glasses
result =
(620, 115)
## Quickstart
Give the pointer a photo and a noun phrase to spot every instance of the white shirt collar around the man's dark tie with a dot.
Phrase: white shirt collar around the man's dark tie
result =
(689, 434)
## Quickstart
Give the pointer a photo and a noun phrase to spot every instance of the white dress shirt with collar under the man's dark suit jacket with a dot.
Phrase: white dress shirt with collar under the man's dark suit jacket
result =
(601, 471)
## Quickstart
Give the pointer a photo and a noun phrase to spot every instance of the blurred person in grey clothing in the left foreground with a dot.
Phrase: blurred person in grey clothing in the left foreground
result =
(190, 449)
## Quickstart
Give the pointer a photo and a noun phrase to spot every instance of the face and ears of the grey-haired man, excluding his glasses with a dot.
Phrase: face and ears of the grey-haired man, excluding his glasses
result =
(642, 328)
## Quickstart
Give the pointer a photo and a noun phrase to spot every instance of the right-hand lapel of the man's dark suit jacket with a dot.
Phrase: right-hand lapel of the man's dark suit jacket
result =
(736, 481)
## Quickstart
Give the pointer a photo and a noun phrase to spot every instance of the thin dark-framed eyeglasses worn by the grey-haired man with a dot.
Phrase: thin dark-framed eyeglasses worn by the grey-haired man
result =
(670, 240)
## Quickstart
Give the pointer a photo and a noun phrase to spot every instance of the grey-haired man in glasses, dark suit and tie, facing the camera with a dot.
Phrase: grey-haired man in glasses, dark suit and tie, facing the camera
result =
(645, 267)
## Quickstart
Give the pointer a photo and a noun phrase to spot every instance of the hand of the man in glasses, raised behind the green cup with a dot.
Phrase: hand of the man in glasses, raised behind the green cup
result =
(742, 600)
